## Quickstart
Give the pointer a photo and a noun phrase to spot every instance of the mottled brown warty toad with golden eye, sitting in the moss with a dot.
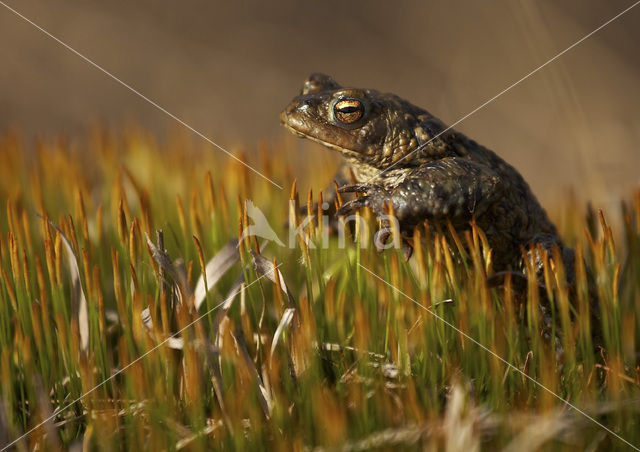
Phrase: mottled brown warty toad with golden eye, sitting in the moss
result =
(400, 154)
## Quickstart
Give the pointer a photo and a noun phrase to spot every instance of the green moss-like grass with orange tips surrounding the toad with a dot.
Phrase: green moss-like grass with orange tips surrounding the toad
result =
(320, 354)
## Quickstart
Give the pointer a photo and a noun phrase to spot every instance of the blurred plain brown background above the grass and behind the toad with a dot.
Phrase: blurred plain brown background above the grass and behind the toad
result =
(228, 68)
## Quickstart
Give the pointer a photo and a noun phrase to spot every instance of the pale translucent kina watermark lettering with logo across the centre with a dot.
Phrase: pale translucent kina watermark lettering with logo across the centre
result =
(386, 236)
